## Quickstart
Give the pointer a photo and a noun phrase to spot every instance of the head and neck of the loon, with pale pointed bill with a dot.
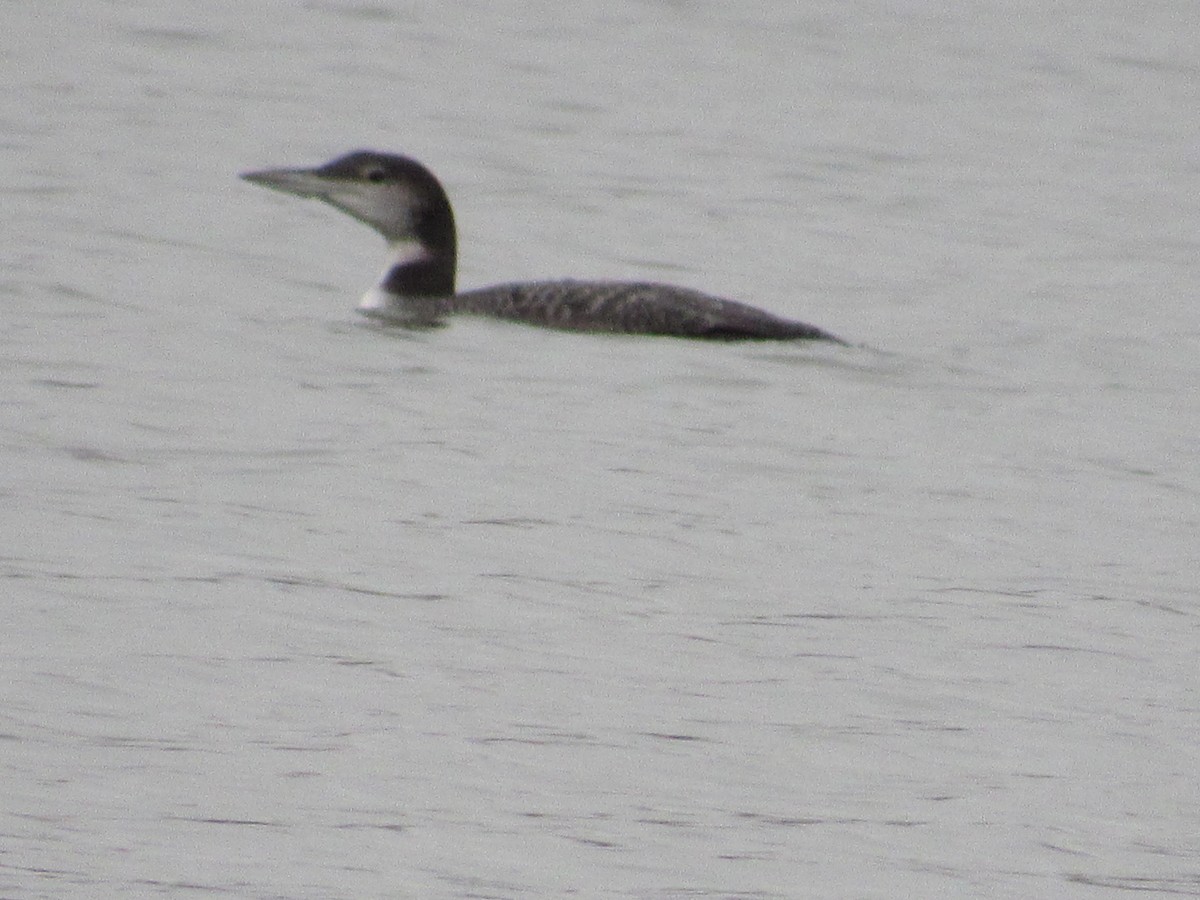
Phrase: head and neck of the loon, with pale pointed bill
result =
(398, 197)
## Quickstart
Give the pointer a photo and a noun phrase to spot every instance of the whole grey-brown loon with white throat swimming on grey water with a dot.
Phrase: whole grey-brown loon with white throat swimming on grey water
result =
(406, 203)
